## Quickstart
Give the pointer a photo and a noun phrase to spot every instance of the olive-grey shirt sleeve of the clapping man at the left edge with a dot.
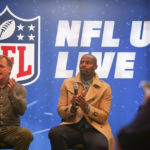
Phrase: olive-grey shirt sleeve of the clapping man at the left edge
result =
(18, 99)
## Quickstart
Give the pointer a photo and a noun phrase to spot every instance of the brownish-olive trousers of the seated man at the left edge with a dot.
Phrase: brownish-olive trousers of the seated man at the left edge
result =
(17, 137)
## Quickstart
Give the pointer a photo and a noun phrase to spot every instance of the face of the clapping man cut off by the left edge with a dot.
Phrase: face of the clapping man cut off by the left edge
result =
(5, 70)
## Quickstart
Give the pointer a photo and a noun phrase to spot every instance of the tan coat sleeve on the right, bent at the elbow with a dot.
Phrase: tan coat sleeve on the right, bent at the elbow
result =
(100, 113)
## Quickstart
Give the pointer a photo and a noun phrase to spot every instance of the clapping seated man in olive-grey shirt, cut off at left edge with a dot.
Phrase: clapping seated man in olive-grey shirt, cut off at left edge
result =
(12, 105)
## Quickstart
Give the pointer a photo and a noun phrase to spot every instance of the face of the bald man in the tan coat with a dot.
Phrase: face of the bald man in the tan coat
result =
(87, 65)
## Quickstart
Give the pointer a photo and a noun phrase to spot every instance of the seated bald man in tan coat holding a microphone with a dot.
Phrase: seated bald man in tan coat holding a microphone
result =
(84, 106)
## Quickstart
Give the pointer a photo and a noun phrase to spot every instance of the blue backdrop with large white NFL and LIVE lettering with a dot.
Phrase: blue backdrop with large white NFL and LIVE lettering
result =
(117, 32)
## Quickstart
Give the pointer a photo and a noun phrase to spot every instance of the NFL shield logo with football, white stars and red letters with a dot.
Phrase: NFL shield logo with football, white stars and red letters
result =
(20, 40)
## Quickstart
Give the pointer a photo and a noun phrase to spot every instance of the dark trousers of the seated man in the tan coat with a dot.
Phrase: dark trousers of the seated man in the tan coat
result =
(64, 136)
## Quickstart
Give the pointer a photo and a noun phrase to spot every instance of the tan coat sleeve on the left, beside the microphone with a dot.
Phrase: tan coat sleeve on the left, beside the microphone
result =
(64, 106)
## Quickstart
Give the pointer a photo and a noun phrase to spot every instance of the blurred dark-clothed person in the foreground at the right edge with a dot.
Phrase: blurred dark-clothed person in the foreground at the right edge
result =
(136, 135)
